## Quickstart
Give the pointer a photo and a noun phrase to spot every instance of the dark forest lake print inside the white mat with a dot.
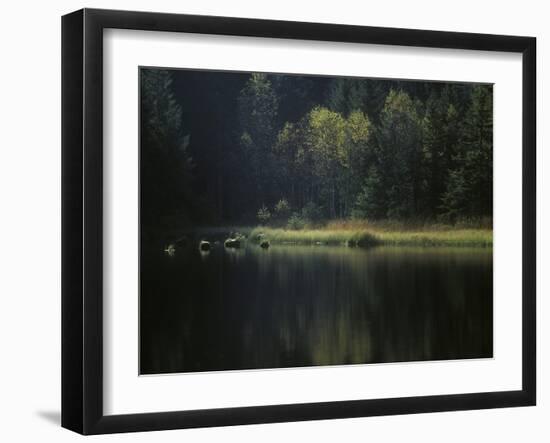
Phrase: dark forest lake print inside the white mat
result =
(304, 220)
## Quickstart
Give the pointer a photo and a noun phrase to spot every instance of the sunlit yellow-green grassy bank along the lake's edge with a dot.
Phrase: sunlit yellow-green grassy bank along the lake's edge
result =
(364, 234)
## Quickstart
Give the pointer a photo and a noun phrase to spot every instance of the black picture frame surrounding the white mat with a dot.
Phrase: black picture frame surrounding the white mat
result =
(82, 220)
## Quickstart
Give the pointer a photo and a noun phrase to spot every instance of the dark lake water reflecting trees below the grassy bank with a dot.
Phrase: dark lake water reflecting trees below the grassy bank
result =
(292, 306)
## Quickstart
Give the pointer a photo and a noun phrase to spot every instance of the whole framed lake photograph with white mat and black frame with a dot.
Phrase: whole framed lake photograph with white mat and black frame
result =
(269, 221)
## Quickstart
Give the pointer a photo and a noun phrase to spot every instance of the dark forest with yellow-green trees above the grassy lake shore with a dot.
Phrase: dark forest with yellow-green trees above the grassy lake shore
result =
(297, 151)
